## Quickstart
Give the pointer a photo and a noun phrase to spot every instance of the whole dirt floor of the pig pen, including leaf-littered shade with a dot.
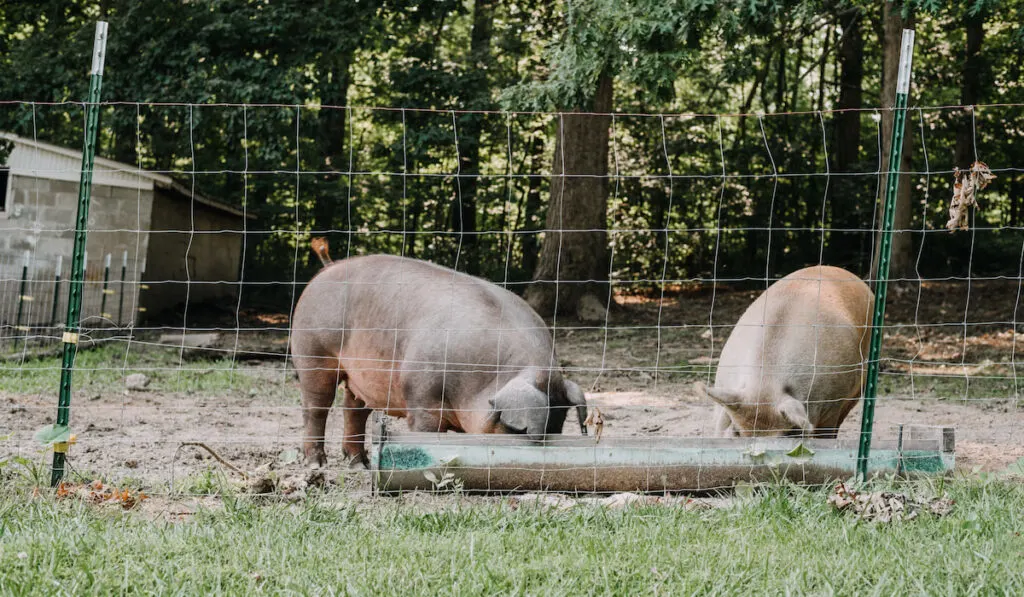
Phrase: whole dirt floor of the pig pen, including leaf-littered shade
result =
(638, 370)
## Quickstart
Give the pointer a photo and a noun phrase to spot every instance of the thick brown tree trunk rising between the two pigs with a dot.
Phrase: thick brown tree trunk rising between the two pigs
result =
(574, 260)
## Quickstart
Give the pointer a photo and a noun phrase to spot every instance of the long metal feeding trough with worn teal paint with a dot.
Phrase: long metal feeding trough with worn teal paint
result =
(401, 461)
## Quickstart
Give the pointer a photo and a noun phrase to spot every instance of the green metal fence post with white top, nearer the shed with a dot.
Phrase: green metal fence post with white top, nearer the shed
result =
(78, 257)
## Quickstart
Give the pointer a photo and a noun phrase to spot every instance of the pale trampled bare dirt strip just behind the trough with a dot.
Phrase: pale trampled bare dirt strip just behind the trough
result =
(140, 436)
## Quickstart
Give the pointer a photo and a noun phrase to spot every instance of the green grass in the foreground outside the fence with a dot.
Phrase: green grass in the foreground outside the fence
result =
(788, 541)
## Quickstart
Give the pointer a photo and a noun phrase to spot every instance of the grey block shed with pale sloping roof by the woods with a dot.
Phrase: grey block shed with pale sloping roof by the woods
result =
(173, 245)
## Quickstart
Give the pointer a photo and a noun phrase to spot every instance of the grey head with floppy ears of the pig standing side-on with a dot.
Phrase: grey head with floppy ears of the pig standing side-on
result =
(522, 408)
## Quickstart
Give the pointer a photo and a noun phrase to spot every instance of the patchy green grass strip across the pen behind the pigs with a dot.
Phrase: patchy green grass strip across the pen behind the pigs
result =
(104, 368)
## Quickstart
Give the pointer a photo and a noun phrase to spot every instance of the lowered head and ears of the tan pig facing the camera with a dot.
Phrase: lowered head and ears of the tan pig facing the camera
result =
(761, 415)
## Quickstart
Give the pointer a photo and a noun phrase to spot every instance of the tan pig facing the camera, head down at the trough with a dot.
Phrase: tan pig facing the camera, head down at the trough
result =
(795, 363)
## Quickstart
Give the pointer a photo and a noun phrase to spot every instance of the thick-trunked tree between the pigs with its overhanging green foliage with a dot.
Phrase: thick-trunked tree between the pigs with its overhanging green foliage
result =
(639, 42)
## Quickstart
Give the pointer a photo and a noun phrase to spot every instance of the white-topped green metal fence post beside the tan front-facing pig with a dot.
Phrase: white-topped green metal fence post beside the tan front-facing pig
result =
(885, 251)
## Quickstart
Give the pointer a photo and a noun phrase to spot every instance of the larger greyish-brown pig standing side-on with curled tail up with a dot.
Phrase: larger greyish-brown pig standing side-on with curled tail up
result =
(447, 351)
